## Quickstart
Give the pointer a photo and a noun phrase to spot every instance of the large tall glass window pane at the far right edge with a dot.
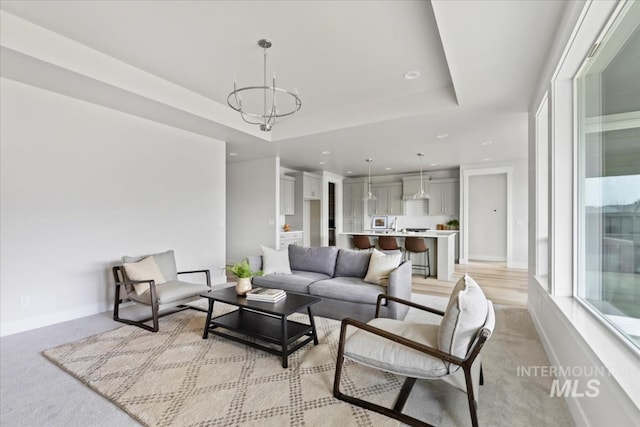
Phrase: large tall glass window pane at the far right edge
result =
(608, 184)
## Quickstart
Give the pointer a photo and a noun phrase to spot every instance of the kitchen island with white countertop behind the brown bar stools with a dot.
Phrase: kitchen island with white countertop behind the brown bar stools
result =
(441, 244)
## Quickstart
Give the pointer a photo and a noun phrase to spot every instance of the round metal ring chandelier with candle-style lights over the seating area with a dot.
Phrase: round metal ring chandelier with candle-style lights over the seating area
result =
(263, 98)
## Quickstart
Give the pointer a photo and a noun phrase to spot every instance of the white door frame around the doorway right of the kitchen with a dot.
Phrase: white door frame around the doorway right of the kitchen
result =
(464, 201)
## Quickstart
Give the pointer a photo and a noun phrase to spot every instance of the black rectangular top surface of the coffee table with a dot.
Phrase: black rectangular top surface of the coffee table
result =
(291, 304)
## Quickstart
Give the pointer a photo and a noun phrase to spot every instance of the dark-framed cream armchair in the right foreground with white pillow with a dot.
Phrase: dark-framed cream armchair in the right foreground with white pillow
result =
(449, 351)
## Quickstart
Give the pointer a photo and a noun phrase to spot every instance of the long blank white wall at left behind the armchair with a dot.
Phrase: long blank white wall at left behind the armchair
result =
(83, 185)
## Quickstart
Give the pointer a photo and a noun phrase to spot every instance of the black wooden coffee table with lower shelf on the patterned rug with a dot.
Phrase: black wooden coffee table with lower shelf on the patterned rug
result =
(264, 321)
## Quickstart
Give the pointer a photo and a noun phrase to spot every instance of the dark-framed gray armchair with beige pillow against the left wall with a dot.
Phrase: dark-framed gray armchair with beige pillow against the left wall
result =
(152, 280)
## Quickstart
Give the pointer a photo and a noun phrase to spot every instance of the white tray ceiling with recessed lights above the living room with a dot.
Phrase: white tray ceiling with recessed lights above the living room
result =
(478, 60)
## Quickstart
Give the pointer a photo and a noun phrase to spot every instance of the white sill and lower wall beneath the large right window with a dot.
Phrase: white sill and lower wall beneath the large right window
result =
(571, 336)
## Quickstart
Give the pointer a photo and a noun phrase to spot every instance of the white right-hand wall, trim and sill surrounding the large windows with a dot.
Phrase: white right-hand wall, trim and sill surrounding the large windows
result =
(571, 334)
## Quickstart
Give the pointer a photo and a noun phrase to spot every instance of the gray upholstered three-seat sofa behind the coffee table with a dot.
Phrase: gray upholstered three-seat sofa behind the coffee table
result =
(336, 275)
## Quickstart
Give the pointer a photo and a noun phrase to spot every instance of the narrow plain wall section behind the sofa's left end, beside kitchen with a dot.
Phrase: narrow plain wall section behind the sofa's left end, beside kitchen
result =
(253, 194)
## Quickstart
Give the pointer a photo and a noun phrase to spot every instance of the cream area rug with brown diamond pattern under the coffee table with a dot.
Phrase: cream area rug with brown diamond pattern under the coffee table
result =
(175, 378)
